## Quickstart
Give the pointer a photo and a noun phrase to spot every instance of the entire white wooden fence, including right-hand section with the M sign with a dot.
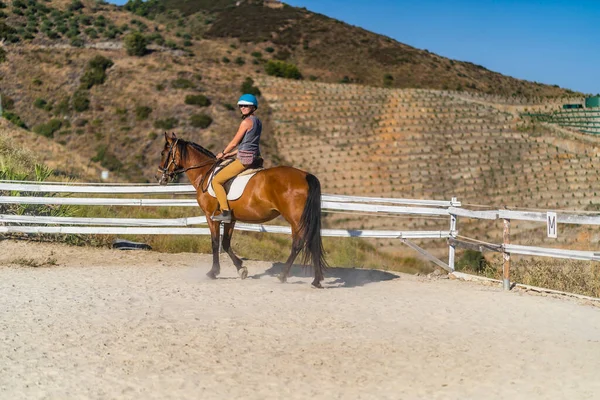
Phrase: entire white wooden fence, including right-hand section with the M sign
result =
(184, 226)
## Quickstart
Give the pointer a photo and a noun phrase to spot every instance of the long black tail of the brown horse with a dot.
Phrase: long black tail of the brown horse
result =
(310, 229)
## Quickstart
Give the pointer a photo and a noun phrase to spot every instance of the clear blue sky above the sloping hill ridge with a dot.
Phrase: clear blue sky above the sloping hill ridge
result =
(548, 41)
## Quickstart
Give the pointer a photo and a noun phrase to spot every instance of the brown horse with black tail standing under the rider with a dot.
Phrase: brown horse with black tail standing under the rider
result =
(285, 191)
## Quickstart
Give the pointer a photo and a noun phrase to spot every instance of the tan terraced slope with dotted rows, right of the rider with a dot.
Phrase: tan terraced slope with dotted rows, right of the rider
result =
(428, 144)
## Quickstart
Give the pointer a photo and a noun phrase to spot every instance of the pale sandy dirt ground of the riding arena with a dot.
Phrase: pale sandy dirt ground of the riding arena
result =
(107, 324)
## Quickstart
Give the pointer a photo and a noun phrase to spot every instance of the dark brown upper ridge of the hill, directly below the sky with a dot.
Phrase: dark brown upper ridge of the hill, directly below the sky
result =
(329, 50)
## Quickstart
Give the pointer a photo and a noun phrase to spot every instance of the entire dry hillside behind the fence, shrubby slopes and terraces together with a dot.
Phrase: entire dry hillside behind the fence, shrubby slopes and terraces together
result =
(423, 143)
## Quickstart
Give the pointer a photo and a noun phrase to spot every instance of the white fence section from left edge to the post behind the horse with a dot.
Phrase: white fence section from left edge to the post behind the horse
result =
(183, 226)
